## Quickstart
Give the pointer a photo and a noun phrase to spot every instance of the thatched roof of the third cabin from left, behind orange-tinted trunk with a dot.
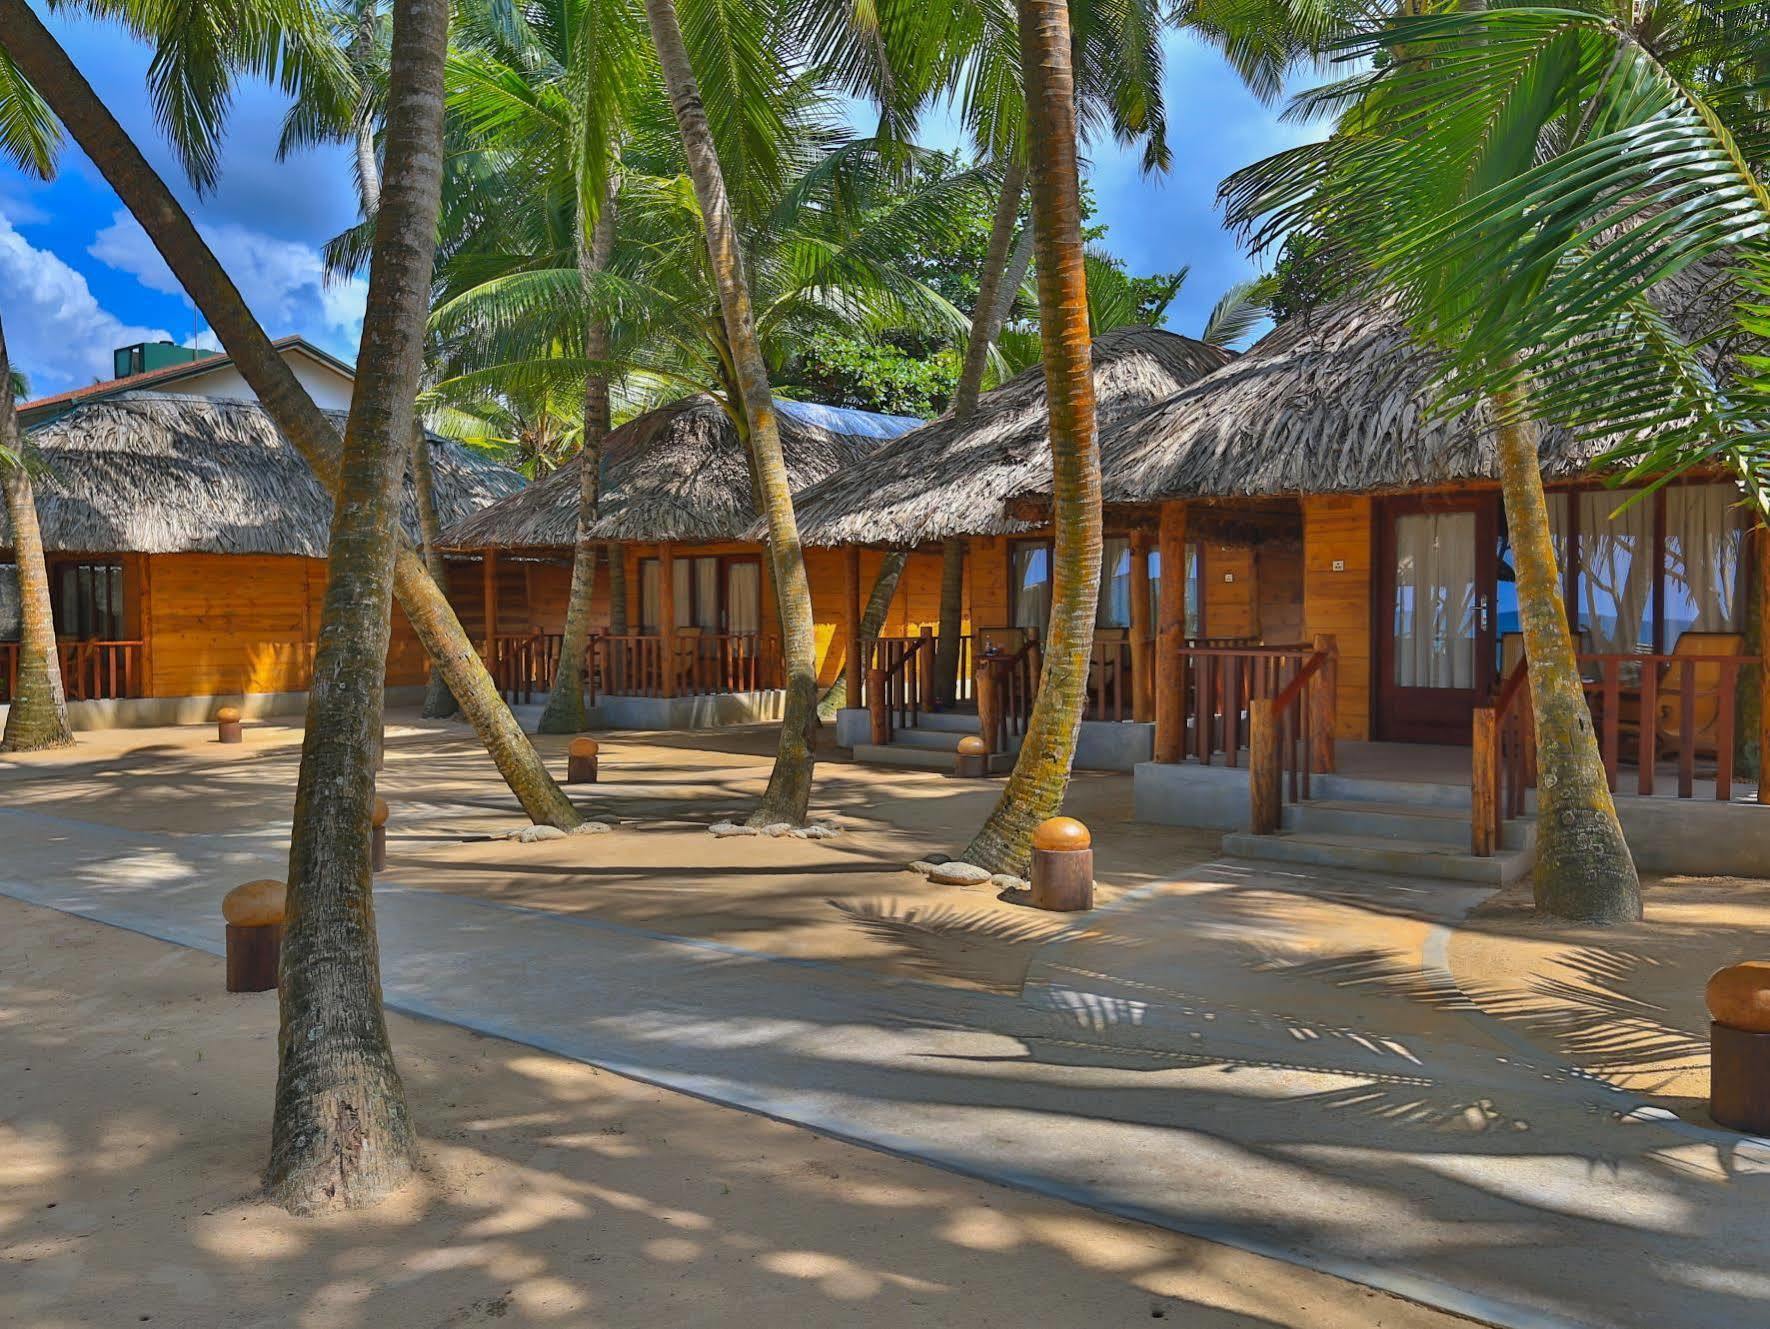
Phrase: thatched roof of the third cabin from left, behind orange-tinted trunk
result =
(951, 479)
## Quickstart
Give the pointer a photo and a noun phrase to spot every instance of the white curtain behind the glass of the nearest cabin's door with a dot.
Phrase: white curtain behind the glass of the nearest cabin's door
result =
(1435, 601)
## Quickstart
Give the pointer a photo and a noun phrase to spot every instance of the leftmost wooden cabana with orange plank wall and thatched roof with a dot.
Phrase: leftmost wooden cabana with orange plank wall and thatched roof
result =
(187, 546)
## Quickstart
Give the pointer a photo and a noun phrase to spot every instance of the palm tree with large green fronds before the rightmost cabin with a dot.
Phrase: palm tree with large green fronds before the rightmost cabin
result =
(1525, 180)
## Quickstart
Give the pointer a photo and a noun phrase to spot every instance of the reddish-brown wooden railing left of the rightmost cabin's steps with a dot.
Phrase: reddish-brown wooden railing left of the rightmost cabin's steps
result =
(1220, 684)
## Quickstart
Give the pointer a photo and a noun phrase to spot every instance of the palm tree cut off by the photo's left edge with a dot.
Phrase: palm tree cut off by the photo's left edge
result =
(38, 714)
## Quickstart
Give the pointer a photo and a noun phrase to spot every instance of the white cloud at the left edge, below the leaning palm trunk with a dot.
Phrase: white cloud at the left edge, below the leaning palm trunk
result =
(56, 328)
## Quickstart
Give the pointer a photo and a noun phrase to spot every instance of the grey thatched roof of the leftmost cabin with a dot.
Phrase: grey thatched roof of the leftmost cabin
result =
(157, 473)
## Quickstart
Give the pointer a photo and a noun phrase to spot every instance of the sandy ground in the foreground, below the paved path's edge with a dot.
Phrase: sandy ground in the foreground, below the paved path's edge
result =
(135, 1118)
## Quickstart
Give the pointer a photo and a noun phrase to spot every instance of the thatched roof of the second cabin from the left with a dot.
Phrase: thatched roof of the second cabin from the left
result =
(677, 473)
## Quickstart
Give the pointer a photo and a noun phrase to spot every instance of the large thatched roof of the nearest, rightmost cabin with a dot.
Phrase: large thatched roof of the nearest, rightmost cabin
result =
(1344, 401)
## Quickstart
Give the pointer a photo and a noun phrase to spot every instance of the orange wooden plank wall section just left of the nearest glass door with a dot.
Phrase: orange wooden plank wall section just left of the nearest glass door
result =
(1337, 599)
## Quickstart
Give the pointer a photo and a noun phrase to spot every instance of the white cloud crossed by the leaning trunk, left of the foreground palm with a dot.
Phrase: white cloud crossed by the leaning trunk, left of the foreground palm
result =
(284, 282)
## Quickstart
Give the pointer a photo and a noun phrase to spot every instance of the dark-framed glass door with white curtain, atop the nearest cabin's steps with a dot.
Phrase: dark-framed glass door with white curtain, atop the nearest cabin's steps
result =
(1436, 633)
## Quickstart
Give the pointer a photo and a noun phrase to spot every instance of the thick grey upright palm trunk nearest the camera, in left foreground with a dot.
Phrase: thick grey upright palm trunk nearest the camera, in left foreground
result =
(342, 1135)
